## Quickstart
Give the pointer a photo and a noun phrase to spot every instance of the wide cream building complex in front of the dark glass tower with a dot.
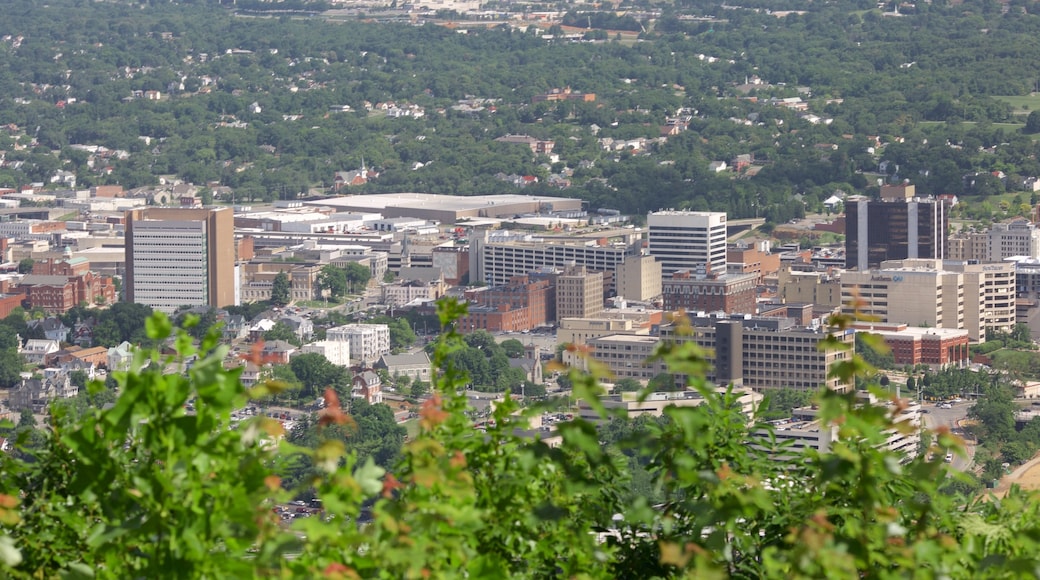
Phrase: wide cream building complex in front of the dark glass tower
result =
(947, 295)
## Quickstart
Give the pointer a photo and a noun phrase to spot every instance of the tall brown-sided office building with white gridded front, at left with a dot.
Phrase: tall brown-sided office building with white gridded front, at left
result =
(180, 257)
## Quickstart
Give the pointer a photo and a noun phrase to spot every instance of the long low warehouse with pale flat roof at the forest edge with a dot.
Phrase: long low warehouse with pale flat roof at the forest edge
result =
(450, 209)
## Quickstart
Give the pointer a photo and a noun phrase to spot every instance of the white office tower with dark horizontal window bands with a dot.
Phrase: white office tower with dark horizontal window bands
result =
(688, 241)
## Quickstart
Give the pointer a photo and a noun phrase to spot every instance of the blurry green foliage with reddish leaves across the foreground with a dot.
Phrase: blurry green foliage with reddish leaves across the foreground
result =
(144, 490)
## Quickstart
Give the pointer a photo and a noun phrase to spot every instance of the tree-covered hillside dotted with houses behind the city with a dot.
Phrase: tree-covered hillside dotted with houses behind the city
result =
(808, 101)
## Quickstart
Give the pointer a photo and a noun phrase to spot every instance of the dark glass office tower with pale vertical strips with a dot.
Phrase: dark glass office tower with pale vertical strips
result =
(899, 227)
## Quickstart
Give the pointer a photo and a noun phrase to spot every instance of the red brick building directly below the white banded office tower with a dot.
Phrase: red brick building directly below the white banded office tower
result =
(730, 294)
